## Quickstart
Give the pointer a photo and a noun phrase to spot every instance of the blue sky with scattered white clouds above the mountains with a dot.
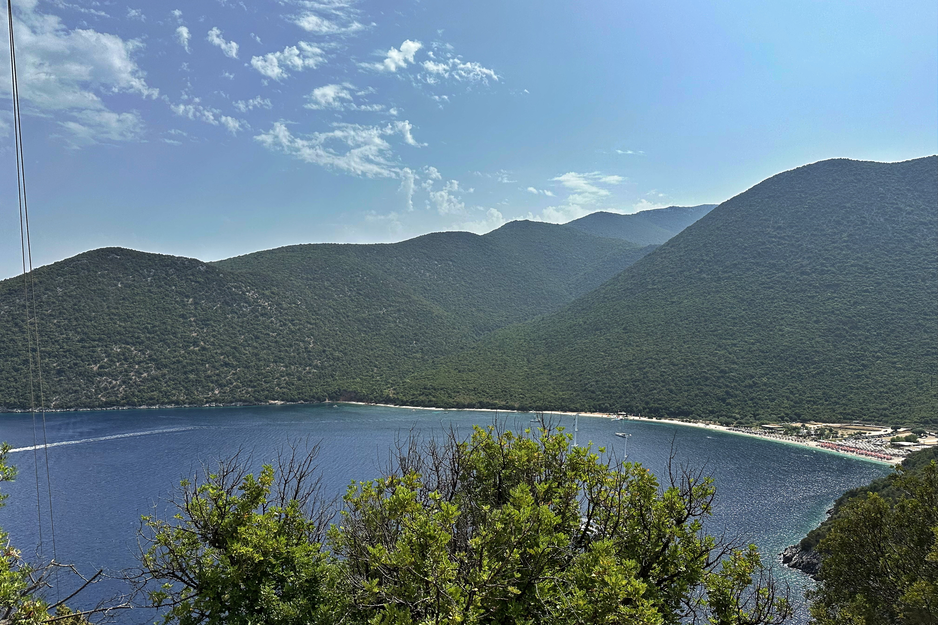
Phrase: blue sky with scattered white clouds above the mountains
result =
(212, 128)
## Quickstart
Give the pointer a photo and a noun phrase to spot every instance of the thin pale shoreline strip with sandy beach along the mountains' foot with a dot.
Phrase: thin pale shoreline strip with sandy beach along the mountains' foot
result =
(600, 415)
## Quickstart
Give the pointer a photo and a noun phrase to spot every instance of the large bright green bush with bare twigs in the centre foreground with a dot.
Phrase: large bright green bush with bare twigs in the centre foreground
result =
(499, 527)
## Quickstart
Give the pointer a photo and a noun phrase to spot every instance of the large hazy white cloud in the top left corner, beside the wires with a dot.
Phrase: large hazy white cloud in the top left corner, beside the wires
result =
(75, 73)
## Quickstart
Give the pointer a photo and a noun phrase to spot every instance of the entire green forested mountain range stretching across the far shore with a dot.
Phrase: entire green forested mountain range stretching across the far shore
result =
(811, 295)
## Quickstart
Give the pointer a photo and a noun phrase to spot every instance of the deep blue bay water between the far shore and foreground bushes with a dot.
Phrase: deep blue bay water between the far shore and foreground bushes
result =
(109, 467)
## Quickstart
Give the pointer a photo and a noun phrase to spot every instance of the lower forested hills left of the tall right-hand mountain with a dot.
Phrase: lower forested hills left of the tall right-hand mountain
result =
(119, 327)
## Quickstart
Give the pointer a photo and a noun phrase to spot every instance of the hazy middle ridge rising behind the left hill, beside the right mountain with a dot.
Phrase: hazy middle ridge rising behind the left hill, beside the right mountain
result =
(512, 274)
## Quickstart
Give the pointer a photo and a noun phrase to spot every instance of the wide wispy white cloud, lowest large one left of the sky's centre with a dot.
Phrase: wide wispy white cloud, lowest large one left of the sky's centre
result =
(350, 148)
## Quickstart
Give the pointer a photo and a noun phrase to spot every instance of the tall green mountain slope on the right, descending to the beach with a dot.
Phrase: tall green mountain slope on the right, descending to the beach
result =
(811, 295)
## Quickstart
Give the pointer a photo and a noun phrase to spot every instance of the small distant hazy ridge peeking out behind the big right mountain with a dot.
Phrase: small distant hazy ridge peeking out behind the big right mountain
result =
(651, 227)
